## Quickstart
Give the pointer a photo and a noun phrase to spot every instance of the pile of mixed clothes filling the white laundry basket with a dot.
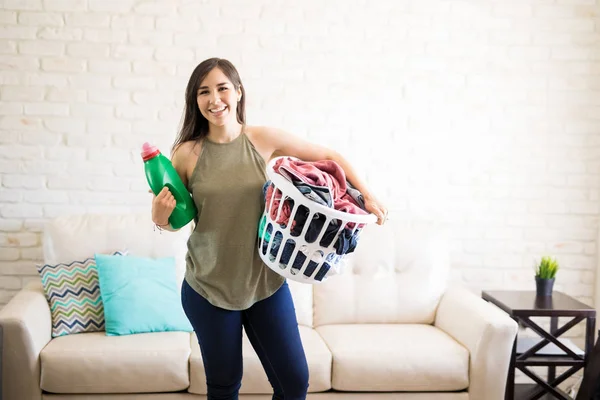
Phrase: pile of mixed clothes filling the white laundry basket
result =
(323, 182)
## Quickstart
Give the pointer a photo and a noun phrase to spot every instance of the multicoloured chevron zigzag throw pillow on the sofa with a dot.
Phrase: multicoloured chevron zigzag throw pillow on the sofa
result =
(73, 292)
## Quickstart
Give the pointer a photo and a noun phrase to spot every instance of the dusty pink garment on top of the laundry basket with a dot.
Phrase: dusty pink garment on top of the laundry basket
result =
(321, 173)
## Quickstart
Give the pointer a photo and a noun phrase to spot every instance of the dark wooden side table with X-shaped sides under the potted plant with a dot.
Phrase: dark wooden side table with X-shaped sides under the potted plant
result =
(548, 350)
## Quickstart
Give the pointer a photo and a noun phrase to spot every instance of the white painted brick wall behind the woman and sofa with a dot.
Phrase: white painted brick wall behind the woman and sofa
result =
(483, 115)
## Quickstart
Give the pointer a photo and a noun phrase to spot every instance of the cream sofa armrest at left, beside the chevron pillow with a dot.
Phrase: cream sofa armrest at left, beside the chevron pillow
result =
(27, 327)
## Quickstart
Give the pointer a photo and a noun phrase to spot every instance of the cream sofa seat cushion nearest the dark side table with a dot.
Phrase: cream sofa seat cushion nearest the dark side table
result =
(396, 357)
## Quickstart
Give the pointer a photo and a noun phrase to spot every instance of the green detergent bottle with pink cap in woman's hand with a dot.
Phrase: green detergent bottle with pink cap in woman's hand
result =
(160, 173)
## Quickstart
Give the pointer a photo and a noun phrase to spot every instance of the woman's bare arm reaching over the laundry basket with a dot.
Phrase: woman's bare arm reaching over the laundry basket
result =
(280, 143)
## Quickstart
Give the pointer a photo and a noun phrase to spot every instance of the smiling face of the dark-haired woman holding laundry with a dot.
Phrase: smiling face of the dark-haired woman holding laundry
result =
(218, 98)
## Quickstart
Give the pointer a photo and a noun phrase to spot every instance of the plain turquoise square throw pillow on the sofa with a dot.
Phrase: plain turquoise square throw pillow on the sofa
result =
(140, 295)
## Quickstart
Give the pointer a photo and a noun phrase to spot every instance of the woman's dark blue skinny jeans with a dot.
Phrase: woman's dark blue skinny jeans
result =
(272, 328)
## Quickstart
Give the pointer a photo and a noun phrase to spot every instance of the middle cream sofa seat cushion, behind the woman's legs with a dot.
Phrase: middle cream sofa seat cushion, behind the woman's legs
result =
(254, 380)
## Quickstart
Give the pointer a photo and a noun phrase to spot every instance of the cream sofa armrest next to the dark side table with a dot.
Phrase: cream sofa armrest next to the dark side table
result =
(487, 332)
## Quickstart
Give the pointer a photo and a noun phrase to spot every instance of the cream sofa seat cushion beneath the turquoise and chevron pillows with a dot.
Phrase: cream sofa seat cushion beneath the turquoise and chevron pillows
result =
(96, 363)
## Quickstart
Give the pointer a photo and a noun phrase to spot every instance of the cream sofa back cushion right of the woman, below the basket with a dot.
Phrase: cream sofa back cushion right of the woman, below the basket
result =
(397, 274)
